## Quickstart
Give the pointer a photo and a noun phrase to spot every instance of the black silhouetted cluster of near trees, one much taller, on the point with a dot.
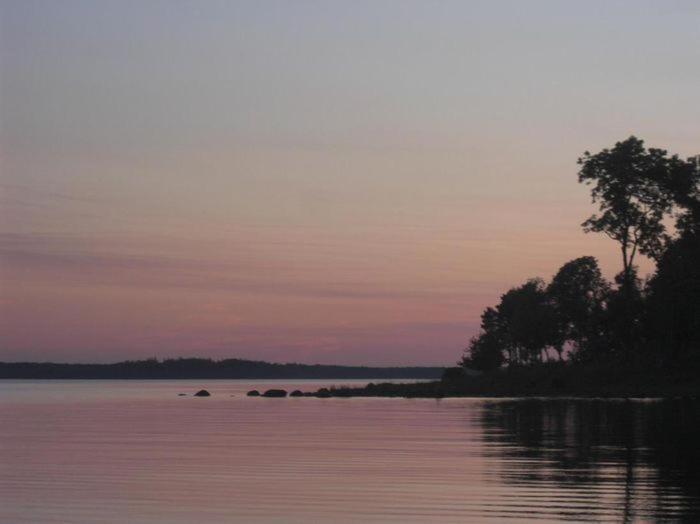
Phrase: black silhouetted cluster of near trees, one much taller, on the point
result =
(649, 204)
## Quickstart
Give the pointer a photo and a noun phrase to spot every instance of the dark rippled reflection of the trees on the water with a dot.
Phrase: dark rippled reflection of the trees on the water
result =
(623, 459)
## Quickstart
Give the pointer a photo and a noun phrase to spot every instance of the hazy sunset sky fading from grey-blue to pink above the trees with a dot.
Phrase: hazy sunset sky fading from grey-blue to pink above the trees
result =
(332, 182)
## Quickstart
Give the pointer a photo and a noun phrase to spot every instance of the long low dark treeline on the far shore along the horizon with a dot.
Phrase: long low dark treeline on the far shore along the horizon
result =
(200, 368)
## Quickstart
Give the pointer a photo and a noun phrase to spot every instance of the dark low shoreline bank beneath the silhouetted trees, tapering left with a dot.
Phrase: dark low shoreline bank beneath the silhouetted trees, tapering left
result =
(547, 380)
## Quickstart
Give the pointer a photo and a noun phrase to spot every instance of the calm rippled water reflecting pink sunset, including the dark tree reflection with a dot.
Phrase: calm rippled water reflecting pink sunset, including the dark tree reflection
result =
(133, 451)
